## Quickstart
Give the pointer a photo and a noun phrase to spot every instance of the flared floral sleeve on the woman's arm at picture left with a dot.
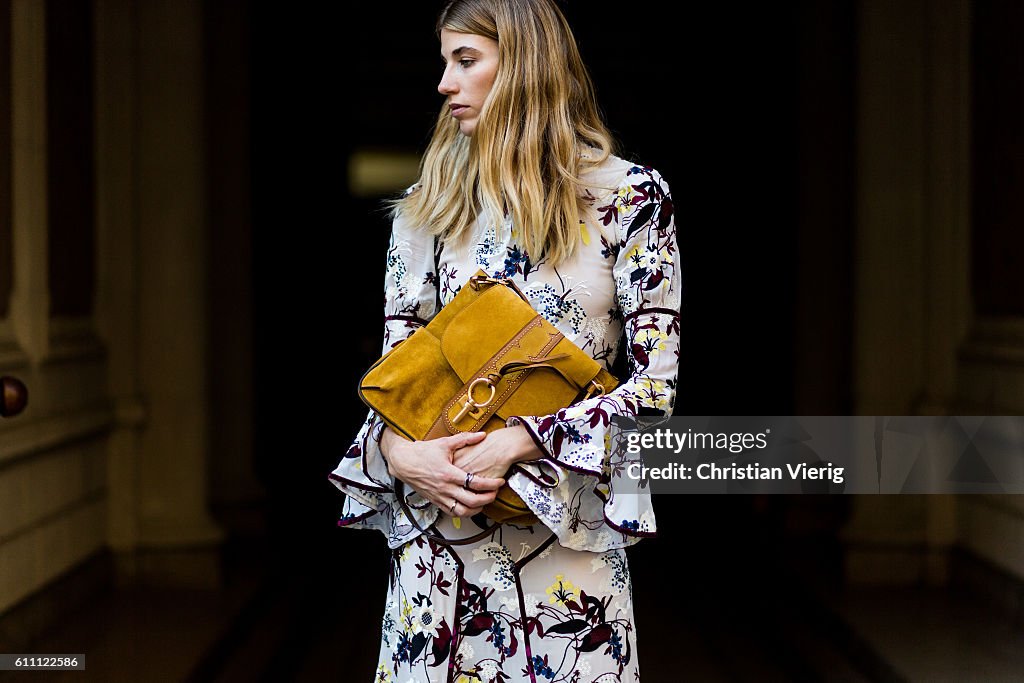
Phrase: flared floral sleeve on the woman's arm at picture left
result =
(410, 303)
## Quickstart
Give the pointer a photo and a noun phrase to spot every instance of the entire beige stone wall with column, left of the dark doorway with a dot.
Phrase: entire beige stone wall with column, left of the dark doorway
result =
(125, 293)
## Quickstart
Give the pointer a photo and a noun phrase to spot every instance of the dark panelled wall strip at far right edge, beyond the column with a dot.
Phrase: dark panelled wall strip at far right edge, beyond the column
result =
(991, 366)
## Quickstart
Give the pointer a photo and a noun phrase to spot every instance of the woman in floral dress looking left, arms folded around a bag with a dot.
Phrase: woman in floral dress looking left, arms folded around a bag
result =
(520, 181)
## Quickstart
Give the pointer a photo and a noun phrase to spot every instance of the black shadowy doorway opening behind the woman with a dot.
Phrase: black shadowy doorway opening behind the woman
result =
(734, 108)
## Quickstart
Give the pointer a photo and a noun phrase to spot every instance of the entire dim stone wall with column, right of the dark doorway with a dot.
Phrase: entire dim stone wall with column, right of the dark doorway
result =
(938, 330)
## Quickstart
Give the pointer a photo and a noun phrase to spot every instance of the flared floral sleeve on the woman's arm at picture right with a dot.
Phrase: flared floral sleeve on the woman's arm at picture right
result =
(578, 489)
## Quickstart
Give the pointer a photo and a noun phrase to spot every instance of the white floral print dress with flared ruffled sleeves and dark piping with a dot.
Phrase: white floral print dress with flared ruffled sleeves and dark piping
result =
(552, 602)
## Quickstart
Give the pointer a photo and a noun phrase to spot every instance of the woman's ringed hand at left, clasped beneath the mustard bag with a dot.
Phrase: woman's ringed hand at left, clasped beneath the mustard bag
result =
(426, 466)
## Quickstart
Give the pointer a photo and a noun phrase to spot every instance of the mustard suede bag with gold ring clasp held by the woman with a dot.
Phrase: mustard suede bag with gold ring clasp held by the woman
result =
(486, 357)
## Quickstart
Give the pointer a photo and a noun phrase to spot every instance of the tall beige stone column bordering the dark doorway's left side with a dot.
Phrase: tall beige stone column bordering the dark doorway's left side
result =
(173, 276)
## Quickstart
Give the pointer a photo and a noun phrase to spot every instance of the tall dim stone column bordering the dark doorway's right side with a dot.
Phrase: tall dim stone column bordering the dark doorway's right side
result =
(913, 304)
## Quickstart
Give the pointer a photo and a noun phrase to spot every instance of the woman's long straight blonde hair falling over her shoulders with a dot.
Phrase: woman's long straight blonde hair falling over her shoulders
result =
(526, 156)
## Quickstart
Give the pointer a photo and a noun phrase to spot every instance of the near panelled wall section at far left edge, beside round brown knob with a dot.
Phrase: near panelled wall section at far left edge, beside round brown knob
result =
(54, 490)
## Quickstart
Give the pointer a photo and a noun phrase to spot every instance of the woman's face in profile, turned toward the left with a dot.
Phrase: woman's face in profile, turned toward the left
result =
(471, 67)
